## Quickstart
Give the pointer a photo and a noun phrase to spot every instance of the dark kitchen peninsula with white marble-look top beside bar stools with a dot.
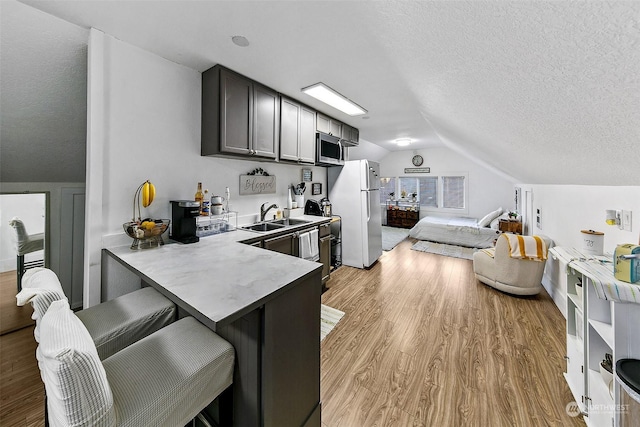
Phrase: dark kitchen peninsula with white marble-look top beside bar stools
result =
(266, 304)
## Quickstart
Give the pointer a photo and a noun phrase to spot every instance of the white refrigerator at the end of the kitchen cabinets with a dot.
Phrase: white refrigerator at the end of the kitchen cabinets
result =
(354, 191)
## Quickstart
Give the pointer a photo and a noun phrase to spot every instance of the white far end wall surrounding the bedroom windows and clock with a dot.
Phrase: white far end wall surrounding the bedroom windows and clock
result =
(487, 190)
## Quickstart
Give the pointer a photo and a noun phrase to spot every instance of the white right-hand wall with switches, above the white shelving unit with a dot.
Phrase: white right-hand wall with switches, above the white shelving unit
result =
(567, 209)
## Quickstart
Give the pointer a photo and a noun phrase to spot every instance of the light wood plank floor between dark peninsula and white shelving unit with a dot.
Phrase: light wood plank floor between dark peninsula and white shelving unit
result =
(423, 343)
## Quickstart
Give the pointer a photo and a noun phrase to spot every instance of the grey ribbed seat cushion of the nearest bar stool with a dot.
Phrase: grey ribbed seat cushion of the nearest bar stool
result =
(167, 378)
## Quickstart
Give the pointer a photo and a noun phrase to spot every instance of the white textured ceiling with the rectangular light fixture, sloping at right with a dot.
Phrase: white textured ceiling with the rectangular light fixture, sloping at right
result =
(544, 92)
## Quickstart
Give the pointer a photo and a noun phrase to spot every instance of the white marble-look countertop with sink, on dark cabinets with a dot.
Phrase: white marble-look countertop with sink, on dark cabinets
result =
(218, 279)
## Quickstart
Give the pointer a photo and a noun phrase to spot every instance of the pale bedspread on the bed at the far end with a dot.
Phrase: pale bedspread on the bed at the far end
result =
(459, 231)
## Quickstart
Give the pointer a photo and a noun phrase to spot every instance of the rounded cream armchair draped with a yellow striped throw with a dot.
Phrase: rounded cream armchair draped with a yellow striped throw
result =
(496, 268)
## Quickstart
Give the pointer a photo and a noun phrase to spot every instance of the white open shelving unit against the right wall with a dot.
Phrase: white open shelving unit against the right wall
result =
(595, 326)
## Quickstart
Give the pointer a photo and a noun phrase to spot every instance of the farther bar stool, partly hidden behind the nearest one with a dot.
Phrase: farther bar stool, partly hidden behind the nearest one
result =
(113, 325)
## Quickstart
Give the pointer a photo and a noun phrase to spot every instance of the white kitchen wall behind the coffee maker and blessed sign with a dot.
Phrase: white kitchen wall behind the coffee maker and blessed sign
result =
(145, 118)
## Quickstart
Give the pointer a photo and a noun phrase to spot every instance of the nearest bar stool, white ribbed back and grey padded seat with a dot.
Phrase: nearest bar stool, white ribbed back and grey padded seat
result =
(165, 379)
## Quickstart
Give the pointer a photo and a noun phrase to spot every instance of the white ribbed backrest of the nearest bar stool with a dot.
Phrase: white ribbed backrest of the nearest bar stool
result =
(78, 393)
